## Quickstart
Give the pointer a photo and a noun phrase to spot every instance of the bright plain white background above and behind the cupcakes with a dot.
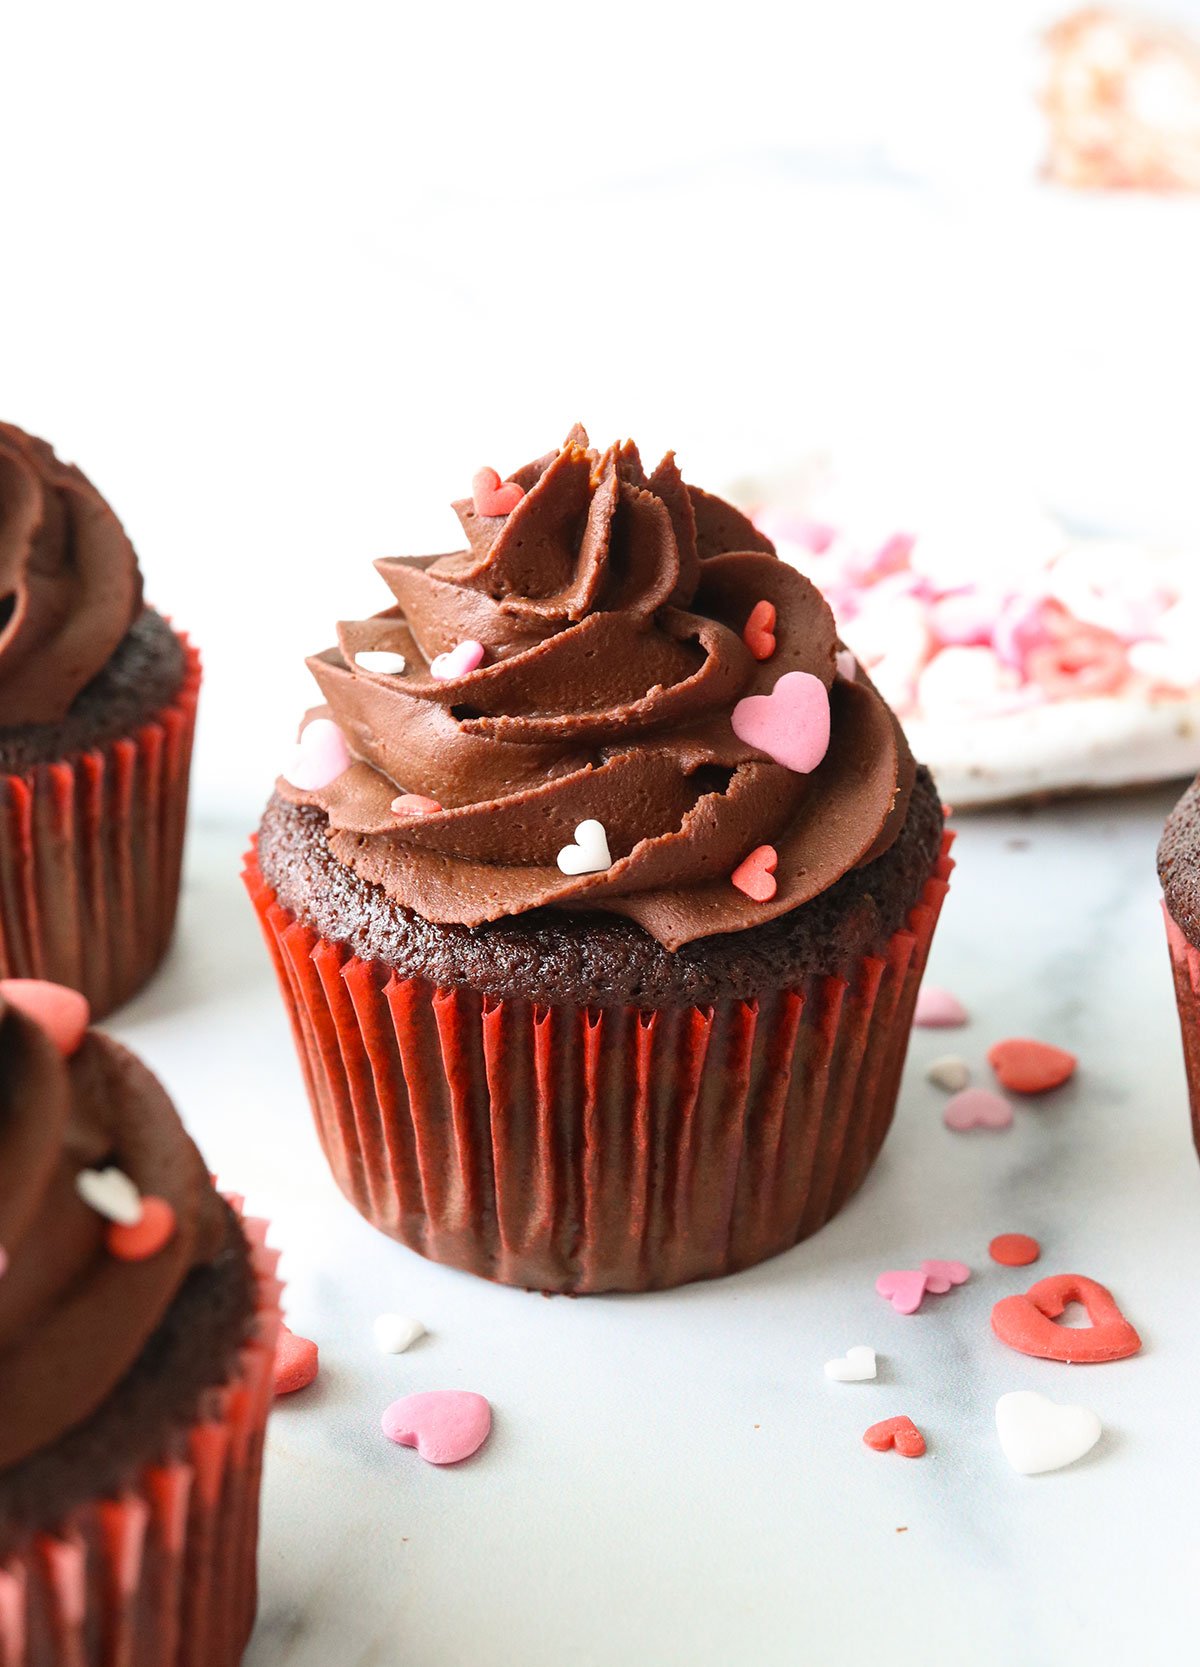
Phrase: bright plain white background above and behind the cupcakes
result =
(281, 278)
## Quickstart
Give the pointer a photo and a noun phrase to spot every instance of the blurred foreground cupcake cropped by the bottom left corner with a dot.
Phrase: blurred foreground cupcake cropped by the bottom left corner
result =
(137, 1324)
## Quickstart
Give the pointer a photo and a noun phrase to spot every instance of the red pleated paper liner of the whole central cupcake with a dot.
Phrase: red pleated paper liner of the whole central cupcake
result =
(597, 1149)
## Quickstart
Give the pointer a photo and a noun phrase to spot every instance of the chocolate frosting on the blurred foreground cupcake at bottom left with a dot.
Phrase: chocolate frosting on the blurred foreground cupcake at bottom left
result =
(74, 1319)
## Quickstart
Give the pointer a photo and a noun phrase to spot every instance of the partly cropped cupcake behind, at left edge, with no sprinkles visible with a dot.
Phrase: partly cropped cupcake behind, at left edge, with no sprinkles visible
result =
(97, 708)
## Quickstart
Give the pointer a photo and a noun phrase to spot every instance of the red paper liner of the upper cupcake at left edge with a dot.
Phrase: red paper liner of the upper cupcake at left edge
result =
(91, 858)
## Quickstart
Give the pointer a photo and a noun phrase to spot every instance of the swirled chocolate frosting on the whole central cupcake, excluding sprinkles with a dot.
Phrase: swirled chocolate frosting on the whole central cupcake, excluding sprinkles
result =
(611, 608)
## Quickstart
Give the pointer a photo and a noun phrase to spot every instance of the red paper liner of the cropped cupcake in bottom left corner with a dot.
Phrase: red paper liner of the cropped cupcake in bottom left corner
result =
(164, 1574)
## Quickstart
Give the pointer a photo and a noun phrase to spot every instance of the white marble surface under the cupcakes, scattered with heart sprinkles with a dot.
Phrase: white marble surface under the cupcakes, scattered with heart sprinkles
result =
(671, 1478)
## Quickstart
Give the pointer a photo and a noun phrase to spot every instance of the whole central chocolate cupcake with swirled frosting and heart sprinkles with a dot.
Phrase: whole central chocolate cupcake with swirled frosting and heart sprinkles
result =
(599, 891)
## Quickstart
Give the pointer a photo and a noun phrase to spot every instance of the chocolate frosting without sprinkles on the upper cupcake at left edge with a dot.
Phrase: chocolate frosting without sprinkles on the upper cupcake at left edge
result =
(69, 583)
